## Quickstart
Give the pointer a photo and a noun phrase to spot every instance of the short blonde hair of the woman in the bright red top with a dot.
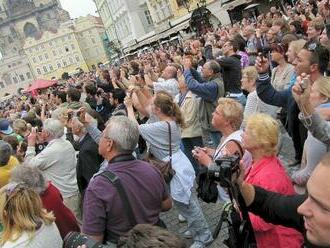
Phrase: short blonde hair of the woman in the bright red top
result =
(264, 131)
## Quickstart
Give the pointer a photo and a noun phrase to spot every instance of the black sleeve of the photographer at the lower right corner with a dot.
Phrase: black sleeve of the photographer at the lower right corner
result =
(279, 210)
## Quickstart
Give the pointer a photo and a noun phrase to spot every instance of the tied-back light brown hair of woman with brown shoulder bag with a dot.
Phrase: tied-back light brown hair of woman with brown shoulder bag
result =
(168, 107)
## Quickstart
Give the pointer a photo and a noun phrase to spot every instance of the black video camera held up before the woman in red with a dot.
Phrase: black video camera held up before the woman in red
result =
(224, 169)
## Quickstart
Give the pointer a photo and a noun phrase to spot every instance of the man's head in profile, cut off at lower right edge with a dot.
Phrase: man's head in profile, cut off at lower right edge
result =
(316, 208)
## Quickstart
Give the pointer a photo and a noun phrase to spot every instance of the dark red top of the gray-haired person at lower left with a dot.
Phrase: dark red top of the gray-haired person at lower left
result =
(65, 220)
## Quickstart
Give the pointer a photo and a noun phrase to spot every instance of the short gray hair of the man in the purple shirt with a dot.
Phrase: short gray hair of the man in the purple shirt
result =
(124, 132)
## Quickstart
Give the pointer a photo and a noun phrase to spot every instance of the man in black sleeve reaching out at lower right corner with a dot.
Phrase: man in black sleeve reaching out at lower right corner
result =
(309, 214)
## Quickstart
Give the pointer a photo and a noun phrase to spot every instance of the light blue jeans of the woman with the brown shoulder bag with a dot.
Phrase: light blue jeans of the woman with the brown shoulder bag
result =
(197, 224)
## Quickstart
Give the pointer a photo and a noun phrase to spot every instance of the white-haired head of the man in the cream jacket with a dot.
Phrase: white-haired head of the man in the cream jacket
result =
(52, 129)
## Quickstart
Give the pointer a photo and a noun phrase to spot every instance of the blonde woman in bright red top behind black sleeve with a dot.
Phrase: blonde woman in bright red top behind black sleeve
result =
(260, 138)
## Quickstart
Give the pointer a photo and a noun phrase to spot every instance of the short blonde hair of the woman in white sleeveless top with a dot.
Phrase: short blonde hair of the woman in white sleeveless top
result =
(232, 111)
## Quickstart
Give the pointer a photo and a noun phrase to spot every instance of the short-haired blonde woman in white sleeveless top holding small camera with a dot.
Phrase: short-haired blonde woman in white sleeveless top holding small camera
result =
(227, 118)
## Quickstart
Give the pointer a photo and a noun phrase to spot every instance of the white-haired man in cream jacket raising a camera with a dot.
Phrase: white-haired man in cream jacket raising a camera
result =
(57, 161)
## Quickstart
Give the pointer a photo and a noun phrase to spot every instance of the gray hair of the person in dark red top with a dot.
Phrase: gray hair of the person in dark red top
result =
(31, 176)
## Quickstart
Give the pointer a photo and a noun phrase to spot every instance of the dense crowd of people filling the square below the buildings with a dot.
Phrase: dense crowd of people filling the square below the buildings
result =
(105, 152)
